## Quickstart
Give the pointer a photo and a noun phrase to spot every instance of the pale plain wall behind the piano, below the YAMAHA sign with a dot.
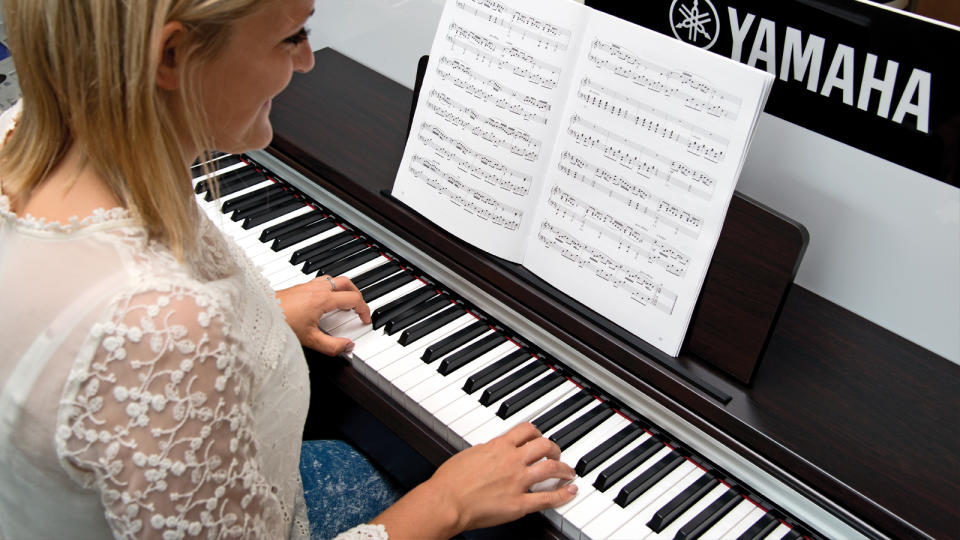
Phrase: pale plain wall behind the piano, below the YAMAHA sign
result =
(884, 240)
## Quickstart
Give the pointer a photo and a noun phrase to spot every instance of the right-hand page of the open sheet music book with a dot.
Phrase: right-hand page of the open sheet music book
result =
(653, 139)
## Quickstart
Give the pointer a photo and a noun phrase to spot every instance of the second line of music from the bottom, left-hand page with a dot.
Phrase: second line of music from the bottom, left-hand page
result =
(474, 163)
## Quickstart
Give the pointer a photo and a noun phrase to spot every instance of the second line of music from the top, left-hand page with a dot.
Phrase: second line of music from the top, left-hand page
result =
(504, 57)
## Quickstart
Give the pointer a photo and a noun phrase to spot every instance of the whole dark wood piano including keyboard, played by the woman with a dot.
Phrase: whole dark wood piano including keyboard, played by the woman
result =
(846, 430)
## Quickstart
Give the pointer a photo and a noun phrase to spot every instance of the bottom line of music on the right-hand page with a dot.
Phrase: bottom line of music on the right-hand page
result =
(639, 286)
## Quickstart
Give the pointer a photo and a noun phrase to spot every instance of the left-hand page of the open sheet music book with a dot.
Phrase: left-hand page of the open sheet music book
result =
(488, 112)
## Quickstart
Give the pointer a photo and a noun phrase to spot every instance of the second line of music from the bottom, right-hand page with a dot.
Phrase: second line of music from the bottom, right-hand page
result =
(631, 242)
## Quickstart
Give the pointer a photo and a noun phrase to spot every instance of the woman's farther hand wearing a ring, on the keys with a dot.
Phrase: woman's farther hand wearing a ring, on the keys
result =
(304, 304)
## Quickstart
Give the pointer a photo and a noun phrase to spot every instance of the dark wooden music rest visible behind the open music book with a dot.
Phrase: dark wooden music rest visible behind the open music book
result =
(757, 257)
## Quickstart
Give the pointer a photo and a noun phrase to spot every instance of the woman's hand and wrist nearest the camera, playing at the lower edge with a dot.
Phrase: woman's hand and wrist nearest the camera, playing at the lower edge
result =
(483, 486)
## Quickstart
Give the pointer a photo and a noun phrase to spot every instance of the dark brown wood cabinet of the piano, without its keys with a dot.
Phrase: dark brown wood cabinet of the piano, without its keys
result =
(863, 417)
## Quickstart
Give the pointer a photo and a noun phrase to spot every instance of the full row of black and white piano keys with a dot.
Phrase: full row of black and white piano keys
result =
(471, 378)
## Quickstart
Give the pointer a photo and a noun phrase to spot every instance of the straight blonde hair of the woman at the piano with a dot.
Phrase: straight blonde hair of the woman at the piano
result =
(87, 73)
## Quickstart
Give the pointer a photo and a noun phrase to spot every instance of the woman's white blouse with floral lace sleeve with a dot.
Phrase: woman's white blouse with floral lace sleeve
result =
(142, 397)
